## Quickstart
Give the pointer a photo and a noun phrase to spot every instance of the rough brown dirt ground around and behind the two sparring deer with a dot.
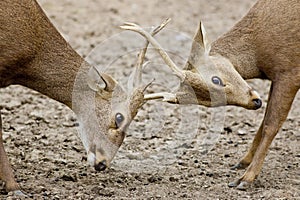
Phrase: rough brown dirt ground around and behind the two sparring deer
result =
(161, 156)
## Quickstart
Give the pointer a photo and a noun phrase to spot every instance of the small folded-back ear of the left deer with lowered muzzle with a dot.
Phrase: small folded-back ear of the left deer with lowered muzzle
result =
(99, 81)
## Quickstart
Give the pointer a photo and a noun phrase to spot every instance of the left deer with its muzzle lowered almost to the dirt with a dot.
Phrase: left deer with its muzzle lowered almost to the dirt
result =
(35, 55)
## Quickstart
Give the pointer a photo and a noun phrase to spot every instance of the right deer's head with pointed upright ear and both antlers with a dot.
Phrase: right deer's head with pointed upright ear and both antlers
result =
(211, 78)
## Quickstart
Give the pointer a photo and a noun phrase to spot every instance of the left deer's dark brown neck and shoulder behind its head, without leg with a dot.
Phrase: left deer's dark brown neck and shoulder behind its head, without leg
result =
(29, 44)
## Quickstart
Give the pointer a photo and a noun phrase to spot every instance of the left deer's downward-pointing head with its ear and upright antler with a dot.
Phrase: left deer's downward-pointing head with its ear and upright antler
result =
(105, 110)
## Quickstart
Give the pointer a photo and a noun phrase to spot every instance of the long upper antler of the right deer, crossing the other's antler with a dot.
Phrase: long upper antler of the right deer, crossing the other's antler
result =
(134, 27)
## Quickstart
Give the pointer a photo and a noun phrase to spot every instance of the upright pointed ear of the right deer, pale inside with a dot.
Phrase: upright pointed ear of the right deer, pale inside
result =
(200, 47)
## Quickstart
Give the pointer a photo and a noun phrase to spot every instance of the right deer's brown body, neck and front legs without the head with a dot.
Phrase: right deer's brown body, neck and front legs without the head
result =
(266, 44)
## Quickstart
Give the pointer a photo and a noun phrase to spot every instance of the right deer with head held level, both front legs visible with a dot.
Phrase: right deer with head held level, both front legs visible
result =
(264, 44)
